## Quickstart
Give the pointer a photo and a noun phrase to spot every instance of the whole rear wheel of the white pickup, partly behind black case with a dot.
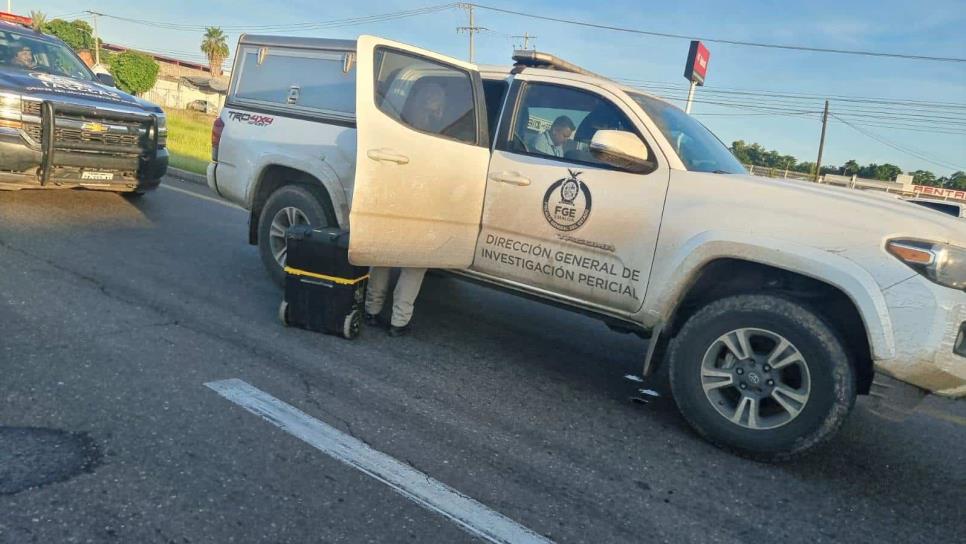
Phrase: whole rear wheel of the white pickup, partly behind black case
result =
(288, 206)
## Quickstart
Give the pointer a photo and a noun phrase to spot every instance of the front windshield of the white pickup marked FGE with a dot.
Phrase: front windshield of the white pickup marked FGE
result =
(698, 148)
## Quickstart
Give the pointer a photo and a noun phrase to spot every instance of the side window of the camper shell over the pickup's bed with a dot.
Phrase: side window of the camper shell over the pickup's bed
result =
(314, 80)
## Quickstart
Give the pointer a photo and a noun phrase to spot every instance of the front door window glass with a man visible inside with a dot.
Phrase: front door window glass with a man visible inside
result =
(560, 122)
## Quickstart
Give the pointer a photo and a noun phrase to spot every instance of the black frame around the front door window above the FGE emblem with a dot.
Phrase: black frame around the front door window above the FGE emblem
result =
(510, 117)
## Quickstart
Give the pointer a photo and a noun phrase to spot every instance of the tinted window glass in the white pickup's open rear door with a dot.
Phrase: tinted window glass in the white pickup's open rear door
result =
(425, 95)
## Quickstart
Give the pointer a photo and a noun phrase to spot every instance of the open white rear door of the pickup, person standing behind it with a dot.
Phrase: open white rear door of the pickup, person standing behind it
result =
(422, 158)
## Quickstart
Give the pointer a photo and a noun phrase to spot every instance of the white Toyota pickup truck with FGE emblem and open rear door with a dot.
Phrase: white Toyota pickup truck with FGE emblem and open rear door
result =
(775, 303)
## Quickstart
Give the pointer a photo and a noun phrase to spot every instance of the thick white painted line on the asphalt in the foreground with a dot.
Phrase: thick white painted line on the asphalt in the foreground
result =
(431, 494)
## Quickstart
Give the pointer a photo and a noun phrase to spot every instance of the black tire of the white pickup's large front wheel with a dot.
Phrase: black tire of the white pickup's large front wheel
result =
(827, 369)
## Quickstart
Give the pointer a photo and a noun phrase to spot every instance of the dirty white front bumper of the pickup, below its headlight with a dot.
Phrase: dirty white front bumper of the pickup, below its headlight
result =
(927, 319)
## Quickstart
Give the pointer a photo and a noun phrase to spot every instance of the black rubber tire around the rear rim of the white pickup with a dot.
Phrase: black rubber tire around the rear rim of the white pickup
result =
(288, 196)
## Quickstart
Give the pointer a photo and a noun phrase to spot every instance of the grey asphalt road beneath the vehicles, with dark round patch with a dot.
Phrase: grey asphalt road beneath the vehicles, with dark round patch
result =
(114, 314)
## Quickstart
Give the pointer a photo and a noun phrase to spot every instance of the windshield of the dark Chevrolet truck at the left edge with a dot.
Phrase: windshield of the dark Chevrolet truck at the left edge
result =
(22, 52)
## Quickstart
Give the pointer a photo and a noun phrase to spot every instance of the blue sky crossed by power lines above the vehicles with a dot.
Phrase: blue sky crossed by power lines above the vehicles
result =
(929, 137)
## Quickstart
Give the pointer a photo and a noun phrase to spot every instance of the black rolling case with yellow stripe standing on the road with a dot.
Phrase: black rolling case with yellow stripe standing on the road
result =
(323, 292)
